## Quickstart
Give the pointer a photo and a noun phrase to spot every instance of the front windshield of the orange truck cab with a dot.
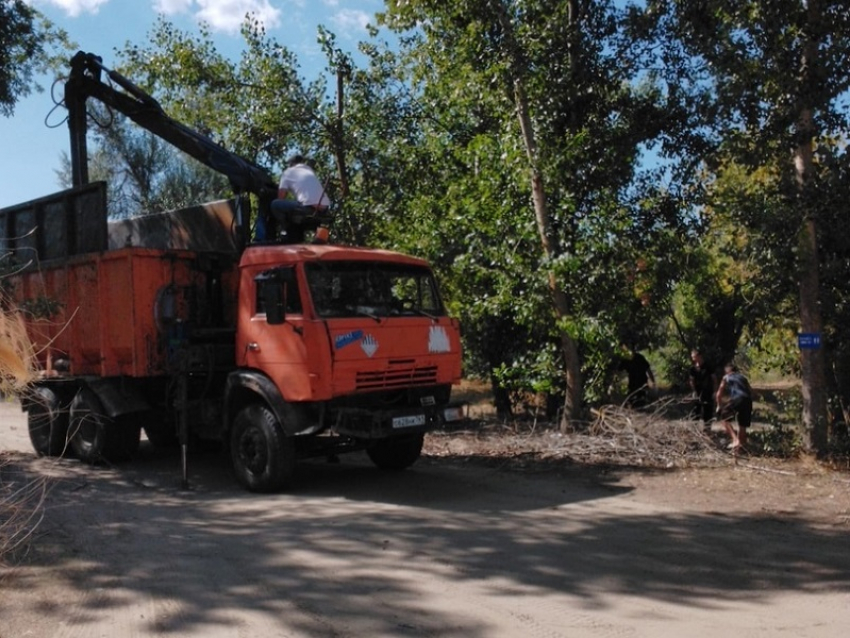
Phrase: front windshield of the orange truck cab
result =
(372, 289)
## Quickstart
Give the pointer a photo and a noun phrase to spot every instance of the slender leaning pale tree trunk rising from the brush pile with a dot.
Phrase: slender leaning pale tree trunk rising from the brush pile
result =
(569, 350)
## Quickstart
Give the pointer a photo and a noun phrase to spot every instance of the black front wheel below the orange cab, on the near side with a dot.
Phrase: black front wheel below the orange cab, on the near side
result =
(263, 456)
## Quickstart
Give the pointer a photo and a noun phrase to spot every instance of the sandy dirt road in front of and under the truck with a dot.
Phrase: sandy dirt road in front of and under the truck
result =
(444, 549)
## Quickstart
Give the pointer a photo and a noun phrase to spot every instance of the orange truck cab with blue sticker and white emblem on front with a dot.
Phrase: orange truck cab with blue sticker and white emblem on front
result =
(348, 348)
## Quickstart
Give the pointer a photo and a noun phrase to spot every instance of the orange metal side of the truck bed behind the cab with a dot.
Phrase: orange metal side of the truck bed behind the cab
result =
(122, 312)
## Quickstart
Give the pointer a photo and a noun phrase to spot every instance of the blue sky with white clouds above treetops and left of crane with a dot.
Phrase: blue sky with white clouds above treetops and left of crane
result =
(34, 138)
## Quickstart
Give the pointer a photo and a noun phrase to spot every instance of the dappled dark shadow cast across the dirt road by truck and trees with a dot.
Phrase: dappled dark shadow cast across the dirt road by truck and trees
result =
(349, 534)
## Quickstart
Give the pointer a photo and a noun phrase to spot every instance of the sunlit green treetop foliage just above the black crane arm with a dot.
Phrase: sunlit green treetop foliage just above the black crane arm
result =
(259, 108)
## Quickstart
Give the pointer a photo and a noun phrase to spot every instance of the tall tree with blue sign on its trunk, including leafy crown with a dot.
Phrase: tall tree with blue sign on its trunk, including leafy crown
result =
(777, 70)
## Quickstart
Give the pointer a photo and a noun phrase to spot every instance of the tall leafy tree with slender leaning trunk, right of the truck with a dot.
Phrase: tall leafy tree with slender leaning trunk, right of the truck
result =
(548, 96)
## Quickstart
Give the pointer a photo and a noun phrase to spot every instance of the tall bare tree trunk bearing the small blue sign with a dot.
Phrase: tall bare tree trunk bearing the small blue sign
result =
(811, 359)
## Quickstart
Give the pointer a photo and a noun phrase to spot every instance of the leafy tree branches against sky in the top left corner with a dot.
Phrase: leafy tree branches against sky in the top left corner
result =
(27, 40)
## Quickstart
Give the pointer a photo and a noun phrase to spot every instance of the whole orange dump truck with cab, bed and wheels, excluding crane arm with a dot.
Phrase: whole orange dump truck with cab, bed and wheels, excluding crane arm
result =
(280, 351)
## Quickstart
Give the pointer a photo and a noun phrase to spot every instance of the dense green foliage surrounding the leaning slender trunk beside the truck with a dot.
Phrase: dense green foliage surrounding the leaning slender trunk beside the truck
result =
(613, 242)
